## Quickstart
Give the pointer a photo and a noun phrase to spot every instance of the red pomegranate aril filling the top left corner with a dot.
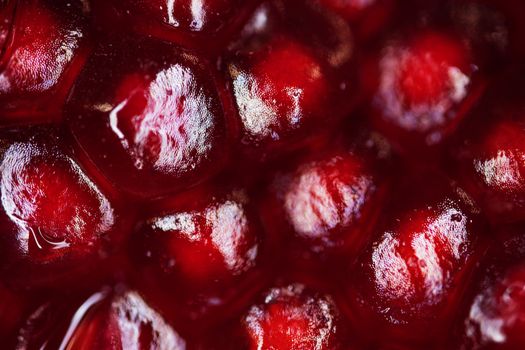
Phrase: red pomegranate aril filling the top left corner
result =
(41, 52)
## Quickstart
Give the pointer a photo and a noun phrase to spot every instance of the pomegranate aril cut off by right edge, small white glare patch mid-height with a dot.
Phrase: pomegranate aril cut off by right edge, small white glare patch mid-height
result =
(490, 160)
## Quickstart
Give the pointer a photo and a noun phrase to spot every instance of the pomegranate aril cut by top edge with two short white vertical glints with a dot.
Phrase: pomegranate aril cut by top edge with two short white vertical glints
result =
(205, 25)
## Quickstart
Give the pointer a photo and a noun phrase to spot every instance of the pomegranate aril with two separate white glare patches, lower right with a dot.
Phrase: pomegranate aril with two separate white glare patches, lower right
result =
(409, 282)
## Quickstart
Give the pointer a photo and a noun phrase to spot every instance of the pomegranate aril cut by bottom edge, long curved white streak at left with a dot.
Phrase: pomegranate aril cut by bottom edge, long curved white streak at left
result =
(105, 320)
